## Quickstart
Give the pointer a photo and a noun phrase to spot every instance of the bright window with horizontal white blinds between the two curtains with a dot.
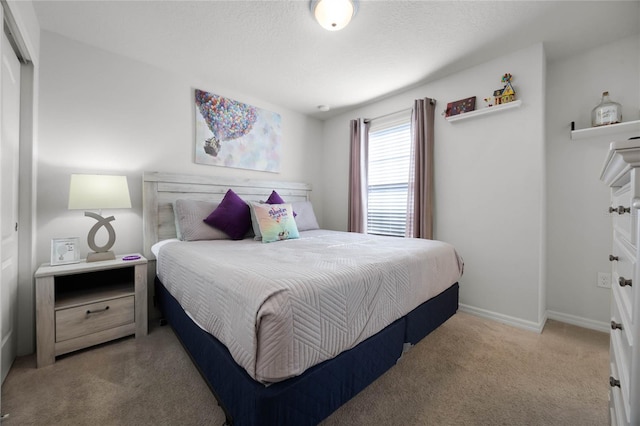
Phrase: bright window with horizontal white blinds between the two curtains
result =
(388, 174)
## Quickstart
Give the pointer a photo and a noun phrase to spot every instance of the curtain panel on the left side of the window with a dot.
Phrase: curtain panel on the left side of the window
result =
(358, 177)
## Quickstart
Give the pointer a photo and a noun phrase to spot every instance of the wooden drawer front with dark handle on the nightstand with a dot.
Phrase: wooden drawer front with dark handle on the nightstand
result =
(91, 318)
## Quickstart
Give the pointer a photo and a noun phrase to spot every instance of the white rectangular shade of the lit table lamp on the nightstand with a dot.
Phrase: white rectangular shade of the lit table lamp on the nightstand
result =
(93, 192)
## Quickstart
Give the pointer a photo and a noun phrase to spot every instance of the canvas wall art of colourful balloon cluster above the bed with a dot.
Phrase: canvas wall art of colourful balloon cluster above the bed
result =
(234, 134)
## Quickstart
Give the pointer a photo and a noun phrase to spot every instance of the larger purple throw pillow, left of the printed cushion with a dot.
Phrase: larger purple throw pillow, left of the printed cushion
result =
(232, 216)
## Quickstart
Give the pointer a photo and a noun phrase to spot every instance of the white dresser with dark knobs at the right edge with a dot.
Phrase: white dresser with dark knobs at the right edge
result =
(622, 173)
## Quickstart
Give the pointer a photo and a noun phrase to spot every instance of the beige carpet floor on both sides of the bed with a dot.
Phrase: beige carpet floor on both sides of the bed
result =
(470, 371)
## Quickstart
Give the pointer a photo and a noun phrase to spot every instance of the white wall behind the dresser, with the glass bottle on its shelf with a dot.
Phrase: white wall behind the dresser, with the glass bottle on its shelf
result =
(579, 229)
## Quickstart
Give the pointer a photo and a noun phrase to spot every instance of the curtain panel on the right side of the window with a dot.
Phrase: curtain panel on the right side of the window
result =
(420, 197)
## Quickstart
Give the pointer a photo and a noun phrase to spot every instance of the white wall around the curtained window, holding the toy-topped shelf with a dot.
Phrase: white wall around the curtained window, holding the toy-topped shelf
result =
(489, 183)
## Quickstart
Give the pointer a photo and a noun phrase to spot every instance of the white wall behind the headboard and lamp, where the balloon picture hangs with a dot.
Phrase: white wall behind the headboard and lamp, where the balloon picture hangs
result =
(104, 113)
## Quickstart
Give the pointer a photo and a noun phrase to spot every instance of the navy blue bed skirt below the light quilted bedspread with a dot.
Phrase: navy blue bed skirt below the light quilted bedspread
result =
(313, 396)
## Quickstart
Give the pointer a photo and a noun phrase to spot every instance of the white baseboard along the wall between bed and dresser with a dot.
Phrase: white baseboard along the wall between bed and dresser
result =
(533, 326)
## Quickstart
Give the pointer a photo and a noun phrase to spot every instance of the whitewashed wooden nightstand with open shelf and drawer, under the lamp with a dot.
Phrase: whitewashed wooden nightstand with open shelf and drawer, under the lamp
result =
(83, 304)
